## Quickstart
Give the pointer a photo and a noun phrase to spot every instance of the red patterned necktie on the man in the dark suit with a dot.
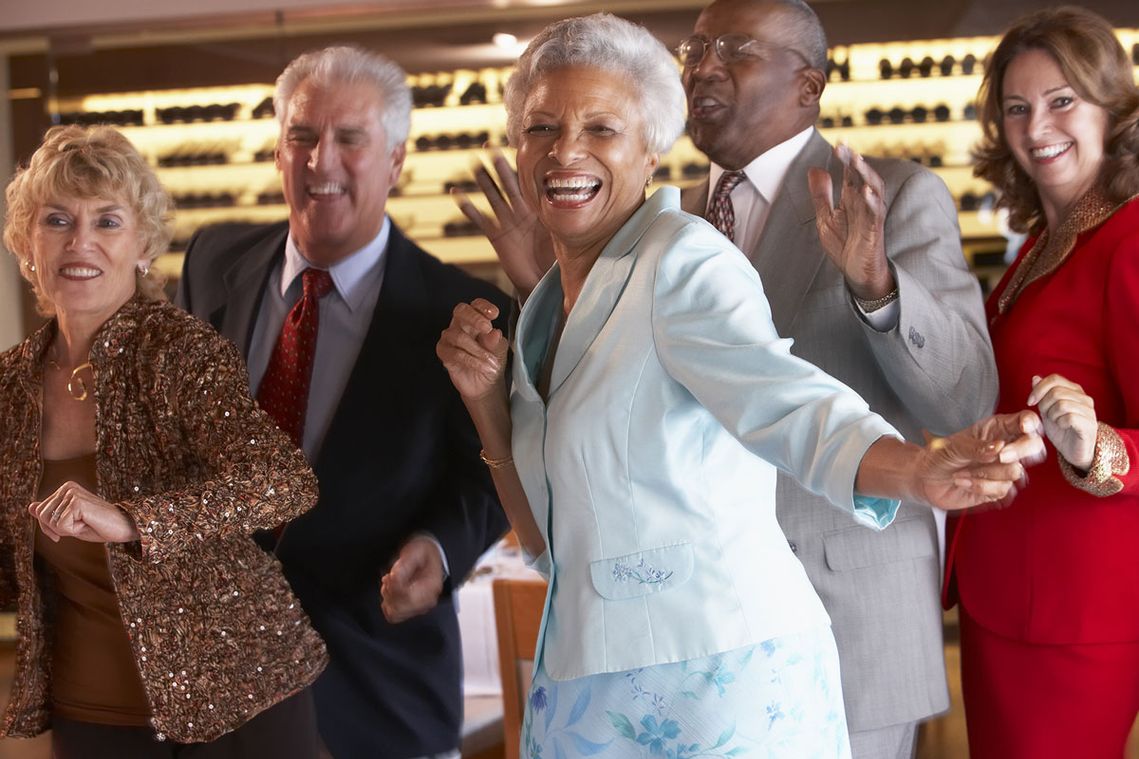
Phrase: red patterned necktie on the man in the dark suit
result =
(284, 391)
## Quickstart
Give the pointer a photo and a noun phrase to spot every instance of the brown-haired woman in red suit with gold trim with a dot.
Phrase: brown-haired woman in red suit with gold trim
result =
(1050, 586)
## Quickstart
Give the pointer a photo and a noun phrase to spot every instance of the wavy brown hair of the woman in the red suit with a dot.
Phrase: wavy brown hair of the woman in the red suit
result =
(1095, 66)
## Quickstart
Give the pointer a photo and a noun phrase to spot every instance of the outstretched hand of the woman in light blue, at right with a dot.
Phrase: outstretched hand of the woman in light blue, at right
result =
(982, 464)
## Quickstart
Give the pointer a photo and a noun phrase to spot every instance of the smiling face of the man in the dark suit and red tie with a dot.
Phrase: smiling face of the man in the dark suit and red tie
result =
(337, 168)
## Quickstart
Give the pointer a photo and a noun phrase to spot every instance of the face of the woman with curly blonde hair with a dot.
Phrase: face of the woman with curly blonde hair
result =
(86, 254)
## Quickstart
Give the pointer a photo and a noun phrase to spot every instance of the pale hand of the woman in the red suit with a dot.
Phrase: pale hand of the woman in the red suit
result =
(1070, 419)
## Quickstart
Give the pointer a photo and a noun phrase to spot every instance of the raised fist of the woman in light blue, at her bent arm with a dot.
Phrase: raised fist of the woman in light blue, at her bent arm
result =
(473, 350)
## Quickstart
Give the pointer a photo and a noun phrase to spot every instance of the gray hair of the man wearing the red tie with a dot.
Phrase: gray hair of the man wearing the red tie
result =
(340, 66)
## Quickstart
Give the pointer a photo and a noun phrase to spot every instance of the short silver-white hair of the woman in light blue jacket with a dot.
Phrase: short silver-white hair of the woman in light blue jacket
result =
(614, 45)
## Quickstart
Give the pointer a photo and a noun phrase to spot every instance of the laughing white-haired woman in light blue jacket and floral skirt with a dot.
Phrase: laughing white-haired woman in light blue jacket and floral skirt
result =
(636, 456)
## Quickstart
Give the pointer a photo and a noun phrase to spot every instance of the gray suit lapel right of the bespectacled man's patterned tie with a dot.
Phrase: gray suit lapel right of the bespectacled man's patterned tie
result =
(789, 256)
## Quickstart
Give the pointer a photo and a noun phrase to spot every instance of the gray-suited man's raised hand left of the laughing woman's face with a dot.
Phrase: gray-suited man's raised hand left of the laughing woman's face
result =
(520, 240)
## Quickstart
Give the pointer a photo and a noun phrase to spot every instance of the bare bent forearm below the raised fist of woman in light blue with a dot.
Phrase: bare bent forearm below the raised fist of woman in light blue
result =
(493, 422)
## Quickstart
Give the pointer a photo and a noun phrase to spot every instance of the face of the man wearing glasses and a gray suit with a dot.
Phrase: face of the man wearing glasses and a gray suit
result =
(739, 111)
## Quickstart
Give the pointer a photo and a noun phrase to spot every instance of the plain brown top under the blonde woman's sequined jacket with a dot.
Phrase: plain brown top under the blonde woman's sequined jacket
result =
(94, 676)
